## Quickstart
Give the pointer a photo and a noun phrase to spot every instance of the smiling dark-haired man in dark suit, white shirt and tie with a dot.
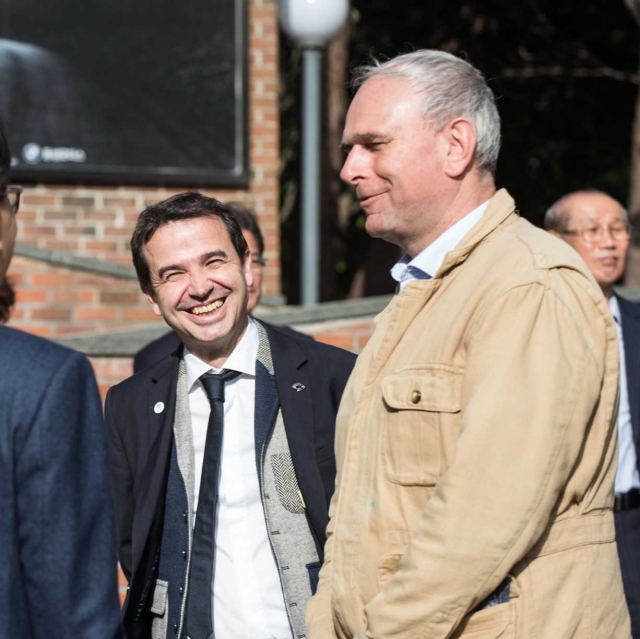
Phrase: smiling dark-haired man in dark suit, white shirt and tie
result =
(249, 460)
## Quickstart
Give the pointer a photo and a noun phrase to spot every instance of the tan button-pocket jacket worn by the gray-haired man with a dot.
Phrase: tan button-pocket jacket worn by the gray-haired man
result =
(476, 442)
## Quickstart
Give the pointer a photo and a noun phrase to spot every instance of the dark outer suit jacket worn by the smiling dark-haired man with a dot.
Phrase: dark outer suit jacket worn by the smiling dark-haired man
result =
(140, 443)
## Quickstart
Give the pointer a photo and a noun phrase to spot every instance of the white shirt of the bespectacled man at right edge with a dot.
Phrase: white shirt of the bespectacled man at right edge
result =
(627, 476)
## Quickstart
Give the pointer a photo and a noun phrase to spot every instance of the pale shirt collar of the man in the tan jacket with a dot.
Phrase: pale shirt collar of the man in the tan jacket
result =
(426, 264)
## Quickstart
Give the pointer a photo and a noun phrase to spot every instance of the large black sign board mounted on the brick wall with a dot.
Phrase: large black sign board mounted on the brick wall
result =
(125, 91)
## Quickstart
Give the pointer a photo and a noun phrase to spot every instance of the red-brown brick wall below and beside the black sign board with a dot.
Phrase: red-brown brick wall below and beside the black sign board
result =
(97, 222)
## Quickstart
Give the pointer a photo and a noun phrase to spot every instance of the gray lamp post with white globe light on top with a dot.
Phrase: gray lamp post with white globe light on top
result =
(311, 23)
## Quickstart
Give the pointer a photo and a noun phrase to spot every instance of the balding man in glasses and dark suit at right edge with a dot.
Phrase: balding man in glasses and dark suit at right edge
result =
(597, 227)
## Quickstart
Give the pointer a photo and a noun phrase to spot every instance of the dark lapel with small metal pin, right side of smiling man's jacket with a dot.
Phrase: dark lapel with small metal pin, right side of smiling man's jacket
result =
(294, 392)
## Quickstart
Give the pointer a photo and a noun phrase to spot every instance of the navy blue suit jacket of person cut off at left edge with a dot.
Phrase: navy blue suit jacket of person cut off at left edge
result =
(57, 543)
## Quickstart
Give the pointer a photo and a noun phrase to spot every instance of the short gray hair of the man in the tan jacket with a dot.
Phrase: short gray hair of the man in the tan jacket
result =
(450, 88)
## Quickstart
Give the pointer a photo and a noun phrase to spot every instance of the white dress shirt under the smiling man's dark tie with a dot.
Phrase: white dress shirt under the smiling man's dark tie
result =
(247, 596)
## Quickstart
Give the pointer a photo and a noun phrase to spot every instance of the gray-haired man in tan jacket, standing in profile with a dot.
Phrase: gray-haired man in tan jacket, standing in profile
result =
(476, 440)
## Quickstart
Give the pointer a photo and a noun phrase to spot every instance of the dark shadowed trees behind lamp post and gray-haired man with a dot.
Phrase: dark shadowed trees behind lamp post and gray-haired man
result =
(565, 77)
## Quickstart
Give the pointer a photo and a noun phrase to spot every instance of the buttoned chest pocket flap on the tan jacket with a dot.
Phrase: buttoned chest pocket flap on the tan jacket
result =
(433, 388)
